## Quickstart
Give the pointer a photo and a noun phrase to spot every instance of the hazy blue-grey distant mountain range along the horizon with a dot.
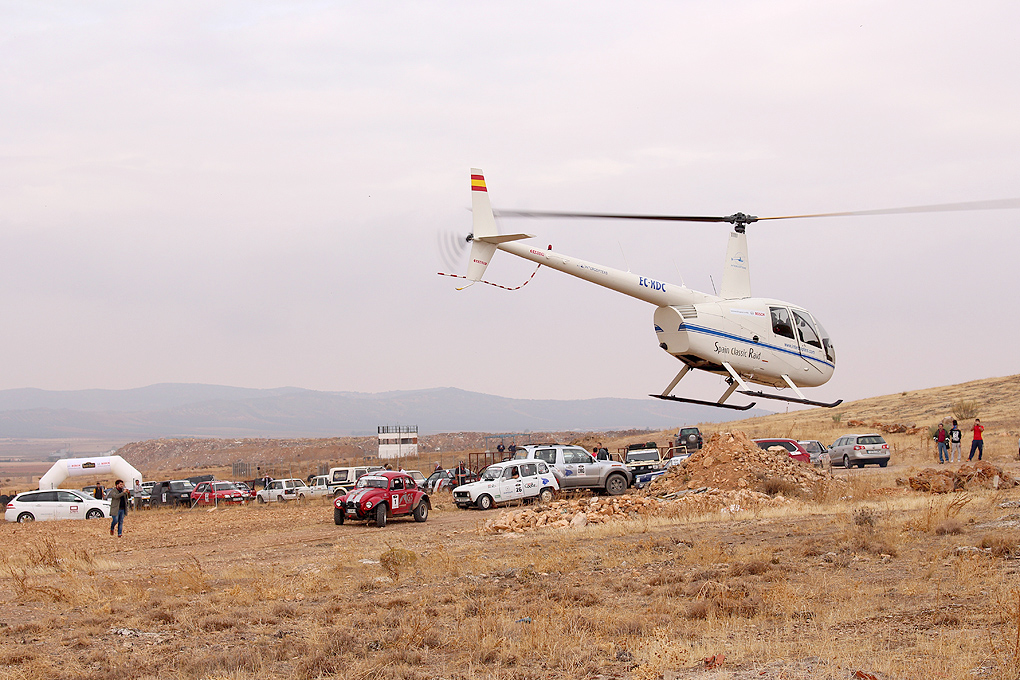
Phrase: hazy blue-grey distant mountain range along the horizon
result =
(201, 410)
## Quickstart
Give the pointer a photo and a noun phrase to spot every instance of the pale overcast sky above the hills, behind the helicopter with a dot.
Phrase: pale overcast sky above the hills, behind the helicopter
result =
(250, 193)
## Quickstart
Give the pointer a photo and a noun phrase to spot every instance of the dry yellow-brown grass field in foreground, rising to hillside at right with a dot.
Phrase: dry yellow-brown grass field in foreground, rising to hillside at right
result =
(870, 581)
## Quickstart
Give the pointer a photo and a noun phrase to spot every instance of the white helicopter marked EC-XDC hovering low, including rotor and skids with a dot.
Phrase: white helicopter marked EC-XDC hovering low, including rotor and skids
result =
(744, 339)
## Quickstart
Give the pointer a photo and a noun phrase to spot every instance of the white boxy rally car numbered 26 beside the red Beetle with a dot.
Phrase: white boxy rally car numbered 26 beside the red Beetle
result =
(512, 481)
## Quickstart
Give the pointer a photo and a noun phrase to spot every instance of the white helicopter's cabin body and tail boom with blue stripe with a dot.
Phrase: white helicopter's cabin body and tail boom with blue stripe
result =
(705, 331)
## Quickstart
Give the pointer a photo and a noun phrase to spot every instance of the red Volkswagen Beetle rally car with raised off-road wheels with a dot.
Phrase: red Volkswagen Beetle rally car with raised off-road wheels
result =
(381, 495)
